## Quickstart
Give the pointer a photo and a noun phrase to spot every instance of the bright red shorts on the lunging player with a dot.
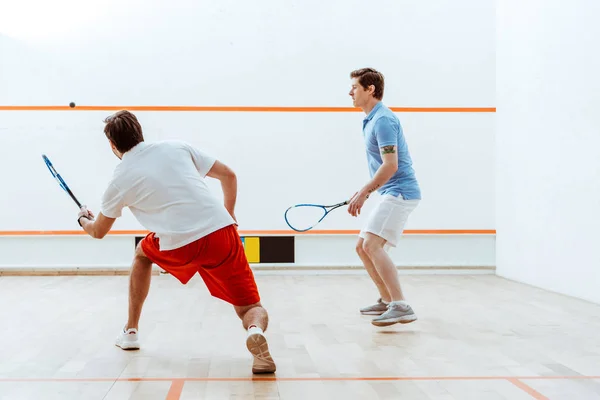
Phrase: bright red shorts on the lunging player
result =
(220, 260)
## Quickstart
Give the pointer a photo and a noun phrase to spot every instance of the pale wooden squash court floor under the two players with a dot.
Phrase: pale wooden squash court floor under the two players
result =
(478, 337)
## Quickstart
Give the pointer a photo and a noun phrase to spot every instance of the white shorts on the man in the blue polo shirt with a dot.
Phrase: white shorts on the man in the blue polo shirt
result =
(388, 218)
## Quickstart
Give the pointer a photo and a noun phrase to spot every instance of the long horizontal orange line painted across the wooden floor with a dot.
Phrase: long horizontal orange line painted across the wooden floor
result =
(293, 379)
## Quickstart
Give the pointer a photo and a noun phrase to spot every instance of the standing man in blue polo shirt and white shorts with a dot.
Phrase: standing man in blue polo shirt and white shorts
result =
(393, 177)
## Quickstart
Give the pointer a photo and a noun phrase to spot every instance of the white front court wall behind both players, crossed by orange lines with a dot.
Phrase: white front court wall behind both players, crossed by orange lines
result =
(198, 53)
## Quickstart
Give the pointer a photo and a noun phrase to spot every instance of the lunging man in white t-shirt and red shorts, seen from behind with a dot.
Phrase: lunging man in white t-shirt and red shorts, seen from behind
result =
(163, 184)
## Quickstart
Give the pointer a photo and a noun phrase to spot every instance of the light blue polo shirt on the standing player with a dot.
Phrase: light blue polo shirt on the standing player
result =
(382, 128)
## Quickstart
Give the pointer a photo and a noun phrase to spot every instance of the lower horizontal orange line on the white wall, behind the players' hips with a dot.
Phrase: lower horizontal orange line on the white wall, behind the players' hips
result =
(262, 232)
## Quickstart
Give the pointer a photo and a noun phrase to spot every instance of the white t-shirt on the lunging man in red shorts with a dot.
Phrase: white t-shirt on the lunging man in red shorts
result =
(163, 185)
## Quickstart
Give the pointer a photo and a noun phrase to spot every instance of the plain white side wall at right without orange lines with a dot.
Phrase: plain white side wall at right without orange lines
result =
(548, 158)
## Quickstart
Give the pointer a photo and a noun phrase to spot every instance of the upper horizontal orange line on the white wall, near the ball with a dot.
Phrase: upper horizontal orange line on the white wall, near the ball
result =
(245, 109)
